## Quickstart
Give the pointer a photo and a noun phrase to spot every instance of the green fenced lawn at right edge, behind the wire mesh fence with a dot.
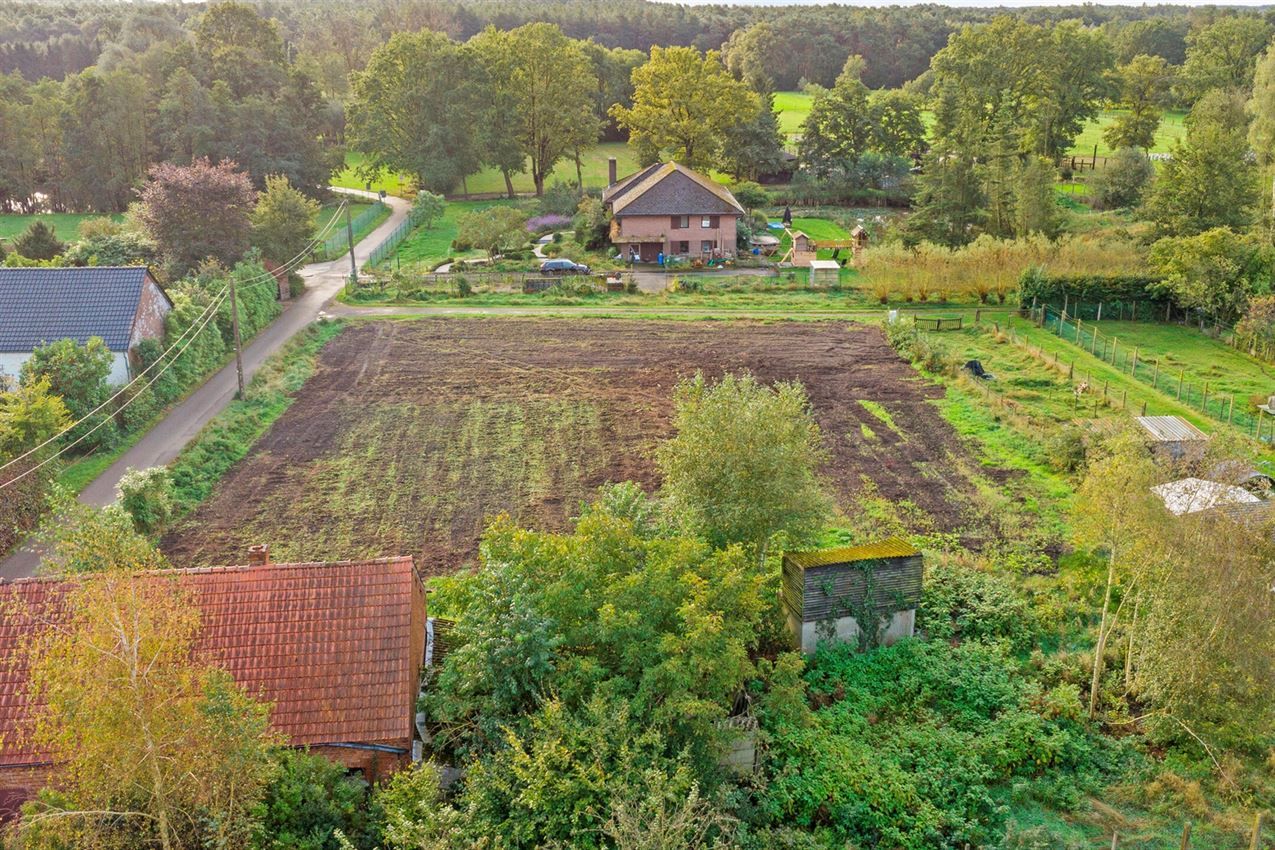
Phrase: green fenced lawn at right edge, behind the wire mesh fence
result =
(1199, 357)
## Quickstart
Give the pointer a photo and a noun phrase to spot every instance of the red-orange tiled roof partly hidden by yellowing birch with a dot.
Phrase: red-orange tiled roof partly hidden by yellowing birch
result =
(331, 645)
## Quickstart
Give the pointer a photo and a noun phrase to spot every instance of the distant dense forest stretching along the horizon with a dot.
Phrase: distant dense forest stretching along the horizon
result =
(808, 44)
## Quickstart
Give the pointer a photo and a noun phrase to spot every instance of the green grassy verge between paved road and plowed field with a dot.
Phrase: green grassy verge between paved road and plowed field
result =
(231, 435)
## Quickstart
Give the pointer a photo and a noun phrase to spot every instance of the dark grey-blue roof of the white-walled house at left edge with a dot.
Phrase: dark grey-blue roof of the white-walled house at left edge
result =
(45, 305)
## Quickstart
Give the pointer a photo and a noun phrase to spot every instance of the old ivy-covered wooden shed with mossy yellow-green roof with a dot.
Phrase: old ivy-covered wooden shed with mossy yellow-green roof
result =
(863, 593)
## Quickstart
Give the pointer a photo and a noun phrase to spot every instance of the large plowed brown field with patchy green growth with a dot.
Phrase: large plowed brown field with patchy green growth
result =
(411, 434)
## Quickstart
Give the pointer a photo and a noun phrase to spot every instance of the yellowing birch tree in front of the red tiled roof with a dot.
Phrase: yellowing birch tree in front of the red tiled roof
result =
(152, 749)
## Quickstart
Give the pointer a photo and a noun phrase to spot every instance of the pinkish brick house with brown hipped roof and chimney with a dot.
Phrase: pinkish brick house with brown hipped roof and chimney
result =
(669, 210)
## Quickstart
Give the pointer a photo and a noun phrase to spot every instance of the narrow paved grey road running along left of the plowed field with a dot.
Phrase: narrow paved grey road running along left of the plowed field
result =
(166, 440)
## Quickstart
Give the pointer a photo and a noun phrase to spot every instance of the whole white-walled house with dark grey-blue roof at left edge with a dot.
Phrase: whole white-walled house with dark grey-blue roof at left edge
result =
(123, 305)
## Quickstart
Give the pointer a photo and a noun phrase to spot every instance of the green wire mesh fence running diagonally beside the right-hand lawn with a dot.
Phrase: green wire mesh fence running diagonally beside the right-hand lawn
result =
(1153, 371)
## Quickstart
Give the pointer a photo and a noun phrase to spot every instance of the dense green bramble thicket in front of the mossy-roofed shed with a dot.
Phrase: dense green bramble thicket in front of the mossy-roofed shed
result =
(912, 746)
